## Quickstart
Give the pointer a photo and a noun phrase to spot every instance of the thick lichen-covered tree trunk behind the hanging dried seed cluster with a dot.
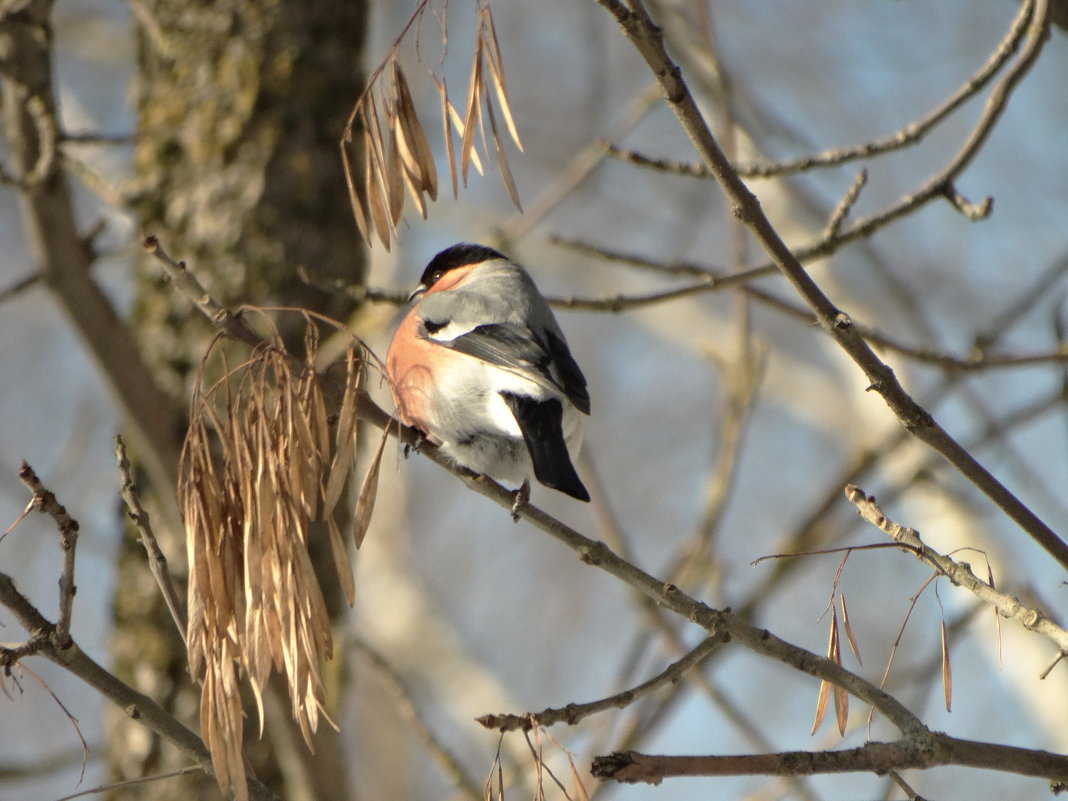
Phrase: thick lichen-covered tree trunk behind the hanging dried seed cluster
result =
(240, 106)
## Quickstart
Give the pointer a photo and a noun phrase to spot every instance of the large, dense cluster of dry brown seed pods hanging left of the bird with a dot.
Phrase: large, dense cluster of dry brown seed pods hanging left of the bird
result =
(262, 463)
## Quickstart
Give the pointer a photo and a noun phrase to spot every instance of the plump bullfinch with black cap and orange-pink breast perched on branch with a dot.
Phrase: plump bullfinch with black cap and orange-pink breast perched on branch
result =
(481, 367)
